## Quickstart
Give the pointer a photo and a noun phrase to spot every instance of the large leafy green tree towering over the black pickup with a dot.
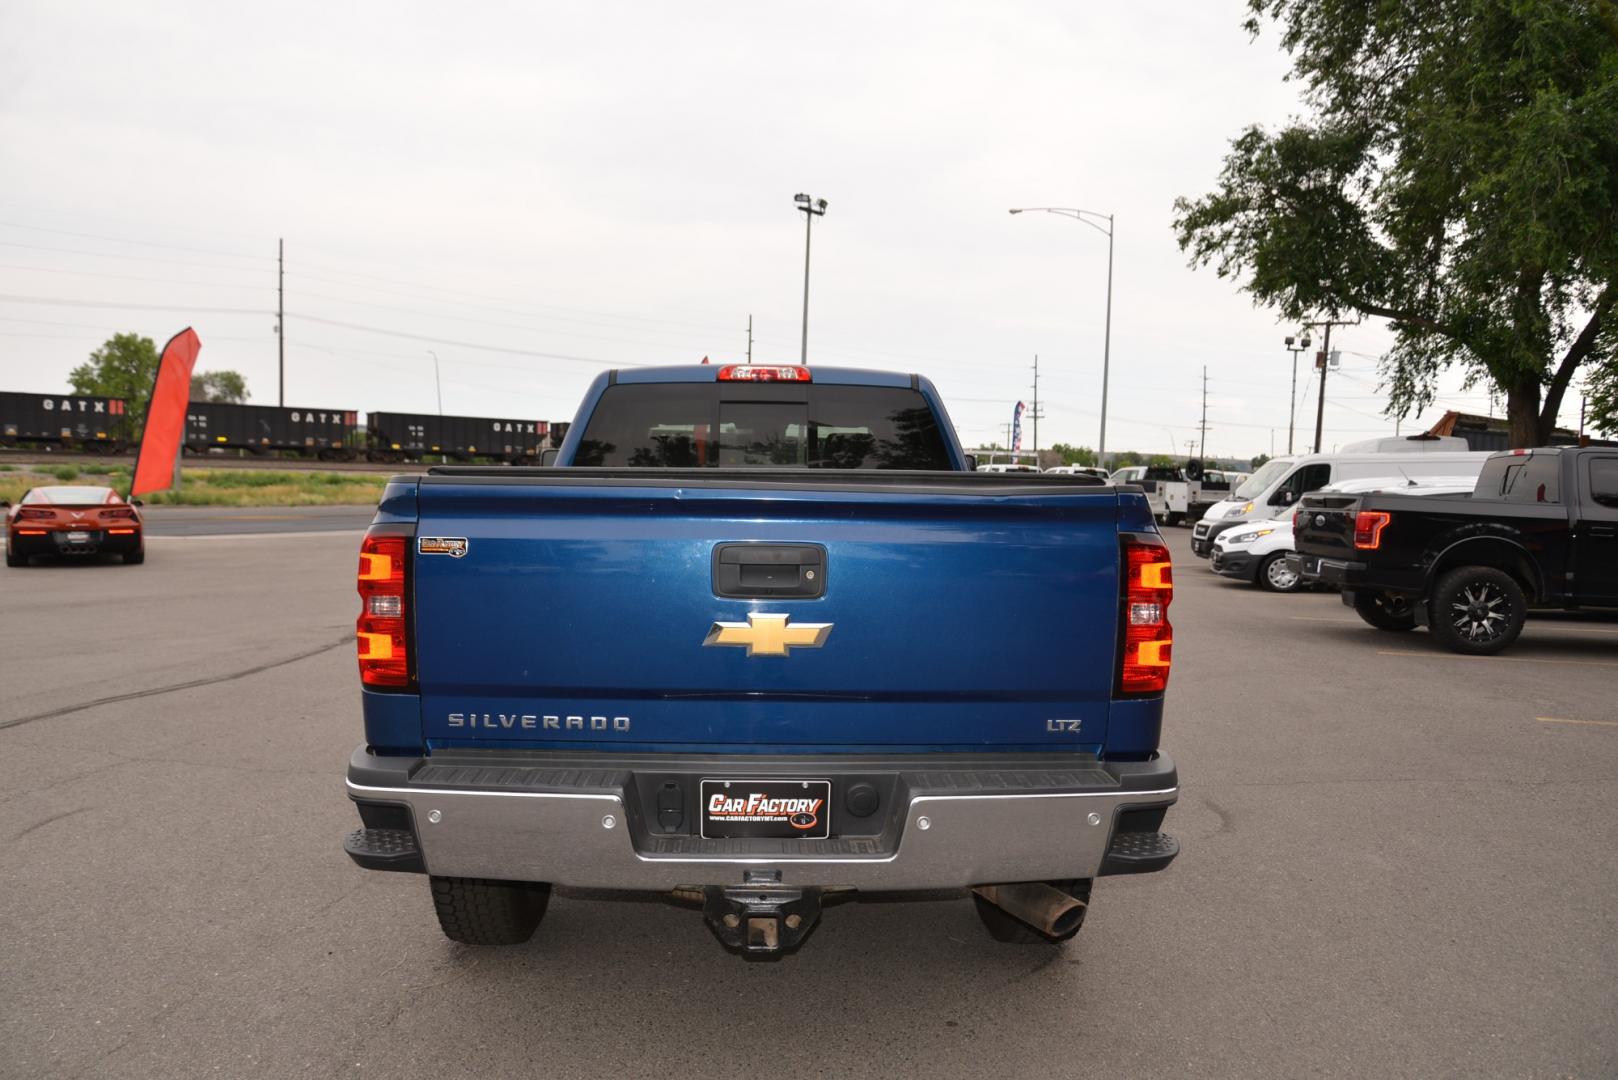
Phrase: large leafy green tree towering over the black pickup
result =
(1455, 174)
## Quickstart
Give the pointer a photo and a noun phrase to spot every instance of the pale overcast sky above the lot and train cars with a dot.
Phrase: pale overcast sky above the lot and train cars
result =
(541, 192)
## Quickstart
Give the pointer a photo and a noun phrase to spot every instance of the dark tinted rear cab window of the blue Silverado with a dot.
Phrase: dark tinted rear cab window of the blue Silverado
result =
(739, 425)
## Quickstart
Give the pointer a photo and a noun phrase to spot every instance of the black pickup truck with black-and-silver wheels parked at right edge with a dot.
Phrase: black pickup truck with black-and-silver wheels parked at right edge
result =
(1541, 530)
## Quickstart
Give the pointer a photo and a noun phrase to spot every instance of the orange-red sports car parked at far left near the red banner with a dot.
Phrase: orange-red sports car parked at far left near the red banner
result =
(74, 522)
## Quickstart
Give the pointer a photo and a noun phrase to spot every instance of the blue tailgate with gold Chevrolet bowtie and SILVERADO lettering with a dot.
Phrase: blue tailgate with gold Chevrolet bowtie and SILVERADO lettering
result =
(583, 614)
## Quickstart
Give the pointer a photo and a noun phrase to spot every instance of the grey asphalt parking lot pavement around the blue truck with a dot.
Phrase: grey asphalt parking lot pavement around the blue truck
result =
(1397, 862)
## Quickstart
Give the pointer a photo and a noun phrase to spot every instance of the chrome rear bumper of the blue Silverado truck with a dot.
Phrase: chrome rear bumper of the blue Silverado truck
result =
(947, 828)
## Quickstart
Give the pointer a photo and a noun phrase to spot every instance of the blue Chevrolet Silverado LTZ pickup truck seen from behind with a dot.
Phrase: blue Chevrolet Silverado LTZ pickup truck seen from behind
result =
(756, 640)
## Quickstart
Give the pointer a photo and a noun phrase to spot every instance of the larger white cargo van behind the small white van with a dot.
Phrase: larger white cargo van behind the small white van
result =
(1281, 483)
